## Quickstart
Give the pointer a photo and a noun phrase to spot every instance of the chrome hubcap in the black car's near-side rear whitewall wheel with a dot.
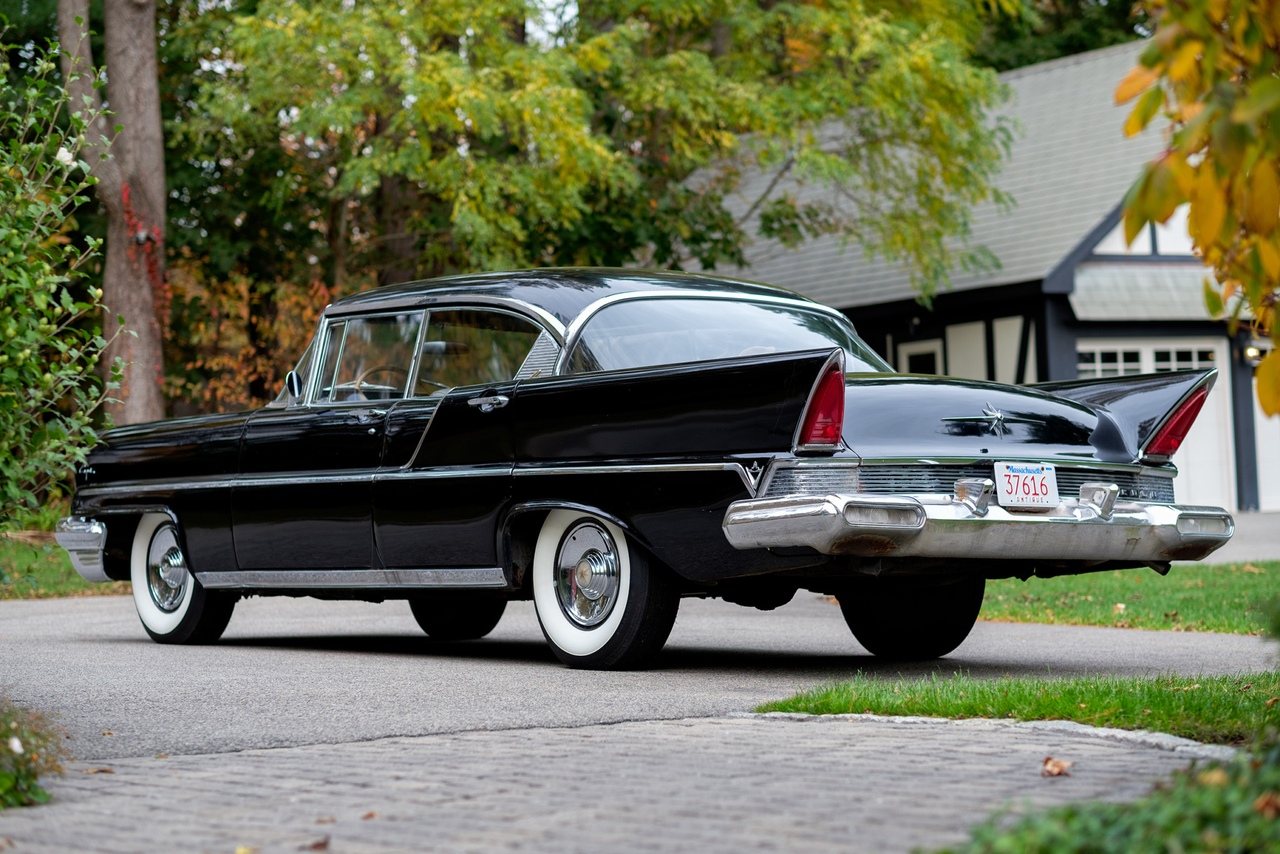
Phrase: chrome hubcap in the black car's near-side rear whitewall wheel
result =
(587, 574)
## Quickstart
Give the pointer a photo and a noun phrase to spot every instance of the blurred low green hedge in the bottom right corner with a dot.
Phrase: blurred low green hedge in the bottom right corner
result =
(1231, 807)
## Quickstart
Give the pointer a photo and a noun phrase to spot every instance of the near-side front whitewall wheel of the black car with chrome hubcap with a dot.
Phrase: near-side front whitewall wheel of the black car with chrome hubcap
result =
(173, 606)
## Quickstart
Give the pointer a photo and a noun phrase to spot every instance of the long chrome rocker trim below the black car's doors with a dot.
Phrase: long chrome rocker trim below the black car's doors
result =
(408, 579)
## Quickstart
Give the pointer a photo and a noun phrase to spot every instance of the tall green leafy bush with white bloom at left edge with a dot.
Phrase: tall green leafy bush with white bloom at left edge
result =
(48, 350)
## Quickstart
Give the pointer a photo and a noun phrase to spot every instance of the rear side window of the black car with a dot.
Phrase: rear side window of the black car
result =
(473, 348)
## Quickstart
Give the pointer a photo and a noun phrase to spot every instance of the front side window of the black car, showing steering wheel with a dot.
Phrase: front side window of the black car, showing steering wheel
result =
(369, 359)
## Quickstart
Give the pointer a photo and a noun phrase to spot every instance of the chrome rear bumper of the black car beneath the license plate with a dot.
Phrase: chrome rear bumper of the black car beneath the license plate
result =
(1090, 528)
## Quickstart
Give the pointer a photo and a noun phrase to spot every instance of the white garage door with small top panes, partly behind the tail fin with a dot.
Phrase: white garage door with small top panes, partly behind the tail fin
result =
(1206, 463)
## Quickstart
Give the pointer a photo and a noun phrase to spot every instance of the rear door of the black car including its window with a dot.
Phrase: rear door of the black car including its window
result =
(446, 477)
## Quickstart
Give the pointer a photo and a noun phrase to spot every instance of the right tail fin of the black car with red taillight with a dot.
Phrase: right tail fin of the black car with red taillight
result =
(1141, 417)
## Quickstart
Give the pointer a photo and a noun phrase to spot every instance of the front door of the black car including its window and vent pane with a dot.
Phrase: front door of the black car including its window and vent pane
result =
(304, 497)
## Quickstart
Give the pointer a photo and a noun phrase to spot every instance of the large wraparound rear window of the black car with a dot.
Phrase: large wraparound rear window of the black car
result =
(643, 334)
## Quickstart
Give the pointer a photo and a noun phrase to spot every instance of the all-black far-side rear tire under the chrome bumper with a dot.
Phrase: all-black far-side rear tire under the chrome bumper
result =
(913, 622)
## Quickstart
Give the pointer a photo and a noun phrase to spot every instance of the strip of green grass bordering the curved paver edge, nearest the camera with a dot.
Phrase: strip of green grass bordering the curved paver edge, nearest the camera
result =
(1222, 710)
